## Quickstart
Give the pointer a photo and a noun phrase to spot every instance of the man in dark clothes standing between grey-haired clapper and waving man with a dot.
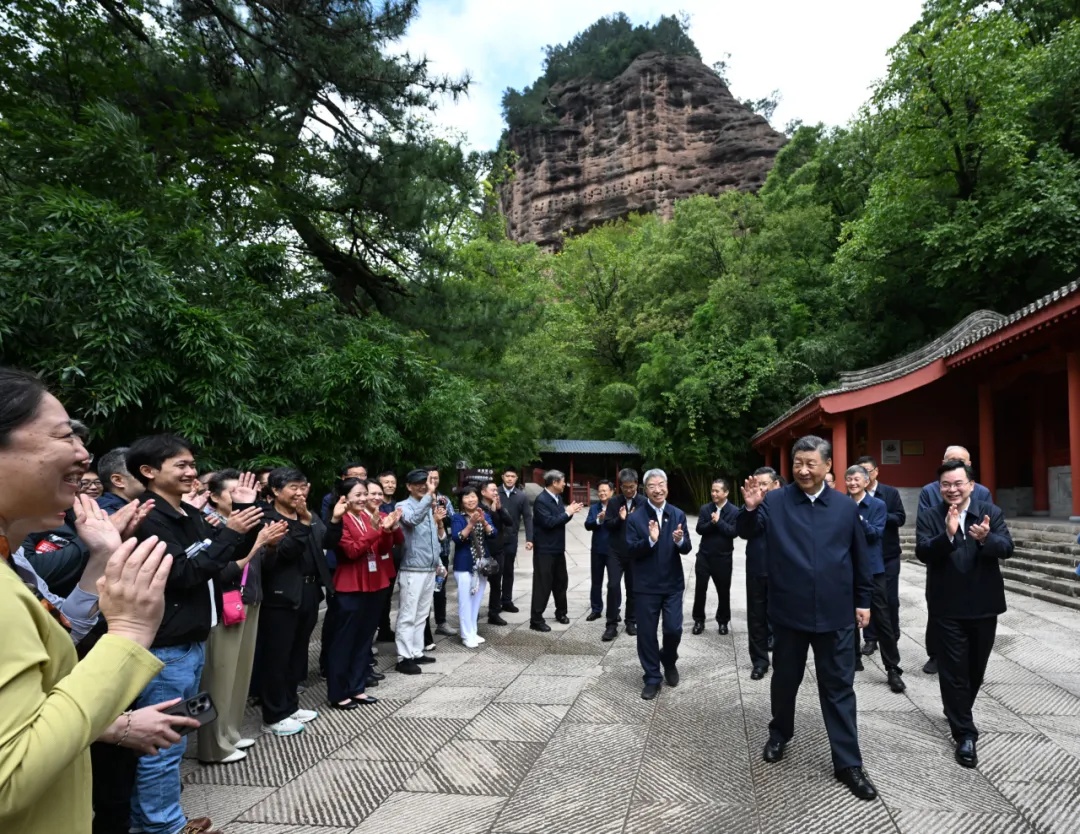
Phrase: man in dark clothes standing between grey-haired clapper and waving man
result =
(717, 526)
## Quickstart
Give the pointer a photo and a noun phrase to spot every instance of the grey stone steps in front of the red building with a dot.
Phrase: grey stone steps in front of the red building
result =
(1044, 564)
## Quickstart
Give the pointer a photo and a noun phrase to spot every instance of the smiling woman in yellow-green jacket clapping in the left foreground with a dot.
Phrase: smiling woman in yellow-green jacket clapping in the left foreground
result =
(52, 709)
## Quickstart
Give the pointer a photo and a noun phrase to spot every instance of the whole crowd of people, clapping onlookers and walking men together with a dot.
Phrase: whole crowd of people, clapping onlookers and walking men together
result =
(143, 583)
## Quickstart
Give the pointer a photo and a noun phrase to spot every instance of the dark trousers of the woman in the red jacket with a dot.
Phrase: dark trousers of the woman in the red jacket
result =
(350, 658)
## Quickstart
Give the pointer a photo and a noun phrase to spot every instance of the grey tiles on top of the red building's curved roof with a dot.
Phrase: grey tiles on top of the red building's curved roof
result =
(974, 329)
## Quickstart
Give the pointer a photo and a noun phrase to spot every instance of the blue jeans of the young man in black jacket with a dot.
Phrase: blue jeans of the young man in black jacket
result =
(156, 803)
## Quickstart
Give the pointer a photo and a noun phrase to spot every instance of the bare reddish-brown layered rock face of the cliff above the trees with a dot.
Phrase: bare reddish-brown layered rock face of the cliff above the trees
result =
(667, 129)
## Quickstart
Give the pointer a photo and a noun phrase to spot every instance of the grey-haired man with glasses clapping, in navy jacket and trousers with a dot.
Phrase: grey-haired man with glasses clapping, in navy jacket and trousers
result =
(656, 539)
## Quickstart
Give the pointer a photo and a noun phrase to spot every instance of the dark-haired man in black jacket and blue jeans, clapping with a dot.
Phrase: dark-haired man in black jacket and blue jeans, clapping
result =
(166, 466)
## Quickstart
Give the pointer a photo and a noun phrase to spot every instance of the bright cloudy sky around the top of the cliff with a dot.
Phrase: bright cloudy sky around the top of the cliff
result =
(822, 56)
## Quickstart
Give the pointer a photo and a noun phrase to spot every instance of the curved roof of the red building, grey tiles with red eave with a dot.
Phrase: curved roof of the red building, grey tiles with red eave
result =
(981, 332)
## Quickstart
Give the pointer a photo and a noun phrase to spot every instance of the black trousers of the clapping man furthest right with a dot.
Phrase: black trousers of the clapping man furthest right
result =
(965, 650)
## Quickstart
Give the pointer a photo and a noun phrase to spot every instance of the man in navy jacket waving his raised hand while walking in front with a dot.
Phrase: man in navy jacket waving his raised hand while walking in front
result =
(820, 589)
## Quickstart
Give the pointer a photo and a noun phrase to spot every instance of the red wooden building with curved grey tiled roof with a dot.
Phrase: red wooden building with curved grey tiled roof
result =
(1008, 388)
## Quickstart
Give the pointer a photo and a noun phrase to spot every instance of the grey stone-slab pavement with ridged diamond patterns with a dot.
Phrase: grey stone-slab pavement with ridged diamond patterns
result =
(548, 733)
